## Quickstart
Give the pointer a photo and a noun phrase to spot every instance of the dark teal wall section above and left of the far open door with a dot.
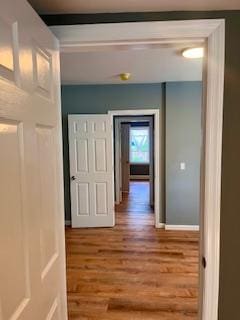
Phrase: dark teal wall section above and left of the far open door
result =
(99, 99)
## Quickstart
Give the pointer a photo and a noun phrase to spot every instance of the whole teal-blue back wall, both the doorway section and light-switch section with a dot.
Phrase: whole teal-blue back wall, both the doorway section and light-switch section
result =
(182, 105)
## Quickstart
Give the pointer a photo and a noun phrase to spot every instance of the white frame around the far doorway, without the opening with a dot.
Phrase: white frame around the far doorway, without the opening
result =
(157, 147)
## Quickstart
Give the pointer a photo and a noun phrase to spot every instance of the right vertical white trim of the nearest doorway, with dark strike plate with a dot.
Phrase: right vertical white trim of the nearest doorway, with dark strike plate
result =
(212, 164)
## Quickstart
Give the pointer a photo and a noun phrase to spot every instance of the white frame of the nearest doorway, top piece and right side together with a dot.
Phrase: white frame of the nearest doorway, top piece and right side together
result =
(211, 33)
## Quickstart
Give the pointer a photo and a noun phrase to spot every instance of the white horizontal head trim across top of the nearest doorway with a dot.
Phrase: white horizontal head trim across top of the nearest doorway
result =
(77, 38)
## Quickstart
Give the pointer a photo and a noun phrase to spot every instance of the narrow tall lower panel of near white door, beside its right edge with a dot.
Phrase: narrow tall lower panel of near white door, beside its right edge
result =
(47, 204)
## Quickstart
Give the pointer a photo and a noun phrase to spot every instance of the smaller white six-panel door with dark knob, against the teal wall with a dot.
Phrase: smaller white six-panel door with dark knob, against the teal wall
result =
(91, 170)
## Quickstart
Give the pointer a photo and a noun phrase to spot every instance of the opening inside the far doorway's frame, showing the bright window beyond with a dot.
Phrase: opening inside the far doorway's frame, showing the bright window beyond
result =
(134, 166)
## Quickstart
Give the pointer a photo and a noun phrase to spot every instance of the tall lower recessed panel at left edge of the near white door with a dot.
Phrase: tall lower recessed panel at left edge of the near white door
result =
(13, 227)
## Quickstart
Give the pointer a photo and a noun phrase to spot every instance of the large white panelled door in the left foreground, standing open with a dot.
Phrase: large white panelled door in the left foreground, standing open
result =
(32, 253)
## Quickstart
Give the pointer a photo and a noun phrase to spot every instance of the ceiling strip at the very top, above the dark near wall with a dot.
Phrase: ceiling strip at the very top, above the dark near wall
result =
(96, 6)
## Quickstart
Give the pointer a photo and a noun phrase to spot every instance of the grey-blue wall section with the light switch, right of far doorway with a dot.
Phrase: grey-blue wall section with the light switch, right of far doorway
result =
(183, 143)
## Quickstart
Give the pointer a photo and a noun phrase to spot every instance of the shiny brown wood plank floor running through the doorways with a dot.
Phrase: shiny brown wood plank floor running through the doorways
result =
(132, 271)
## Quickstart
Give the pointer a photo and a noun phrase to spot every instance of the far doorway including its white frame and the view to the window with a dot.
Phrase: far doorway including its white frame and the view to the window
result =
(136, 153)
